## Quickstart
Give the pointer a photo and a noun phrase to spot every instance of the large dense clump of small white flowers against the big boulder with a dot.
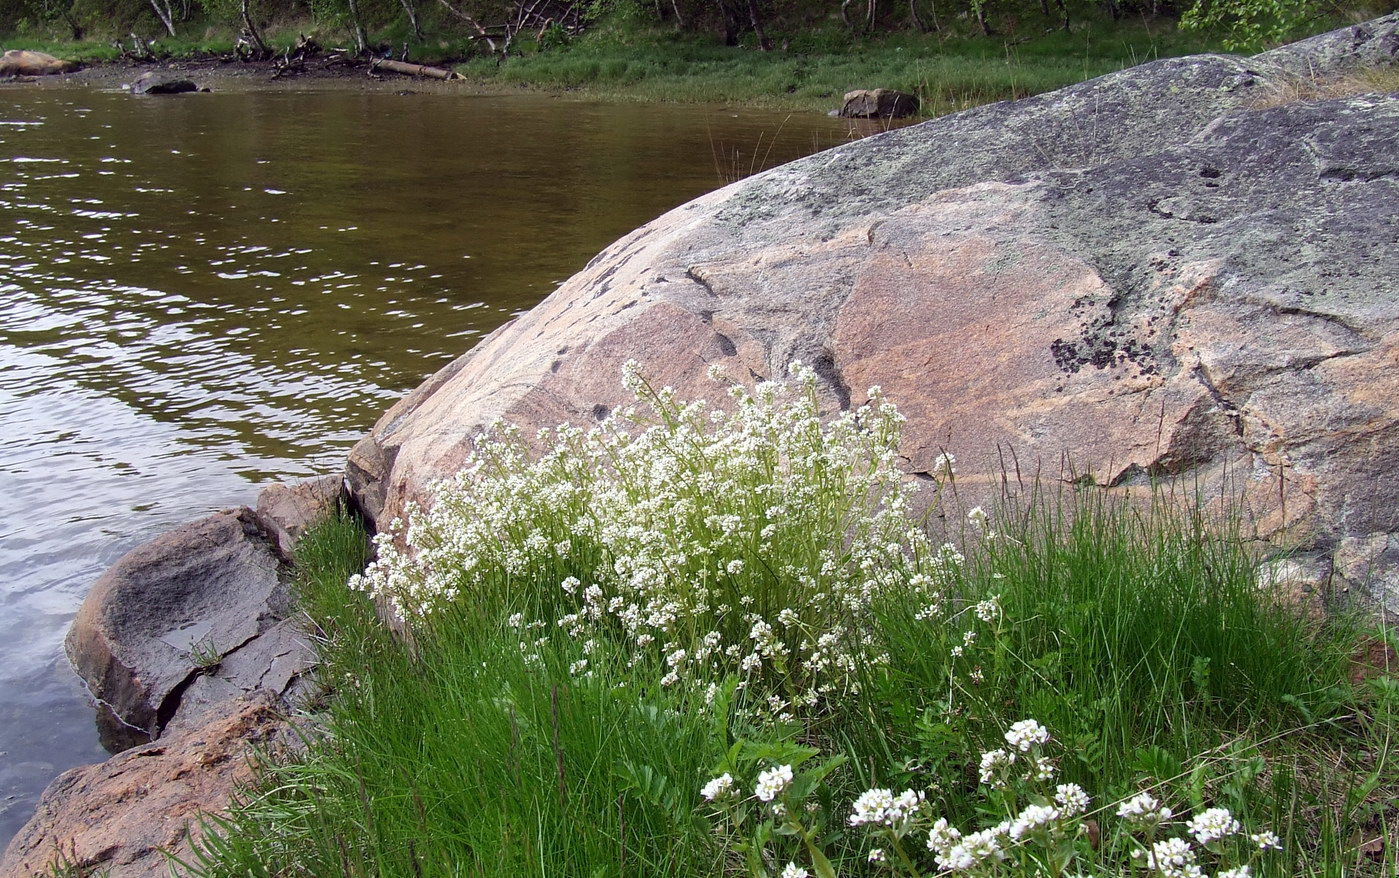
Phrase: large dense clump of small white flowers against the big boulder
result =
(675, 526)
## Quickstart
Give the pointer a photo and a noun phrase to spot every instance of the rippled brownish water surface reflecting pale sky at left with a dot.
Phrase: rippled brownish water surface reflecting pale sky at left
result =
(211, 293)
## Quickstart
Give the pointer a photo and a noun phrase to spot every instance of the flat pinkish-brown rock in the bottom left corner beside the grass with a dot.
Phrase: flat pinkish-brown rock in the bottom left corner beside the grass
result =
(117, 817)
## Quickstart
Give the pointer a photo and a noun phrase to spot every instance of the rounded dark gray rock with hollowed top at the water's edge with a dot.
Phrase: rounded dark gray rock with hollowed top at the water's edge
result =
(187, 621)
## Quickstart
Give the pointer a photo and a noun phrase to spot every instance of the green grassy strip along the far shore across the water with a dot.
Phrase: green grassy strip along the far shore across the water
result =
(812, 73)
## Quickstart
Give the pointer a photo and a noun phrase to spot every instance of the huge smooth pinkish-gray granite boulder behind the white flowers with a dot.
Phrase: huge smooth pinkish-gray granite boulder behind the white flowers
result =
(1142, 276)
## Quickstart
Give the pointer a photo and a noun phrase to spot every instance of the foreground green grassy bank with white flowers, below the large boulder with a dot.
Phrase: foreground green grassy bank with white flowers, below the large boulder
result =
(702, 647)
